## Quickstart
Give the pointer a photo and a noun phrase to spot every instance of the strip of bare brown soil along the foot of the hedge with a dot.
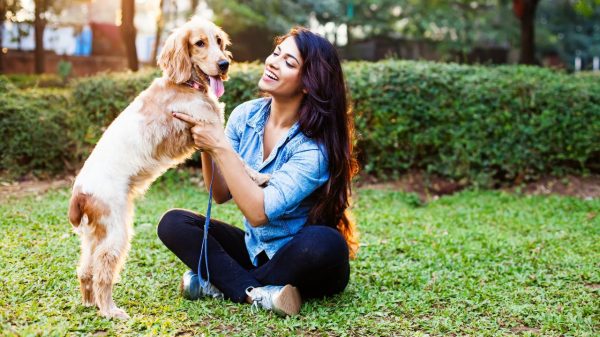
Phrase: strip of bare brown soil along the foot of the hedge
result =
(426, 187)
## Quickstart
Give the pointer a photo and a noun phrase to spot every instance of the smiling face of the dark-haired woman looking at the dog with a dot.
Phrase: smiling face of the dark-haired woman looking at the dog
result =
(282, 76)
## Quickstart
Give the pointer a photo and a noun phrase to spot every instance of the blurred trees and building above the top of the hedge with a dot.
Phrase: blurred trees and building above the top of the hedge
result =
(83, 37)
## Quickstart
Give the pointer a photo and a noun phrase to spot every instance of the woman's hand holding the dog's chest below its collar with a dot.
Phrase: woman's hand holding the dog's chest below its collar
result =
(207, 136)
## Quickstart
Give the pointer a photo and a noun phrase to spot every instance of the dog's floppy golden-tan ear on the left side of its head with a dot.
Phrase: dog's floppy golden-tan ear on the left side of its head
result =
(174, 59)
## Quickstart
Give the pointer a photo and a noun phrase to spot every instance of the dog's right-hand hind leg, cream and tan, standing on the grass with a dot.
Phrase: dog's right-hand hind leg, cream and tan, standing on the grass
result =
(109, 257)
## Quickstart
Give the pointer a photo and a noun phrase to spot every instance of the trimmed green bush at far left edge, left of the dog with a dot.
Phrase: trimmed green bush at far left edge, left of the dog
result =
(32, 129)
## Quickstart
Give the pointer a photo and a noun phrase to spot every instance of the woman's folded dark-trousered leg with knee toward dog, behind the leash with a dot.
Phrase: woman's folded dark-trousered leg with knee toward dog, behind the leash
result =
(228, 260)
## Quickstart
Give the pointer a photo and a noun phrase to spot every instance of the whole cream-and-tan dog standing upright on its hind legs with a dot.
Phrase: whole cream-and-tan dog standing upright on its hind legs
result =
(140, 145)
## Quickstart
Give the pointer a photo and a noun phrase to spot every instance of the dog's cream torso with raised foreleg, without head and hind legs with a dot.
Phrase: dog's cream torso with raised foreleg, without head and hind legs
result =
(145, 139)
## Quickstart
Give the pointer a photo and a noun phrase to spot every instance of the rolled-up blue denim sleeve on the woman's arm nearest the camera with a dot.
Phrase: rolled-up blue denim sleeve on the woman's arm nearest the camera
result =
(300, 176)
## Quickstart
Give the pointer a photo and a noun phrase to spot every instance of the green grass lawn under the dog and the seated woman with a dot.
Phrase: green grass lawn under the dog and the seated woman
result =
(476, 263)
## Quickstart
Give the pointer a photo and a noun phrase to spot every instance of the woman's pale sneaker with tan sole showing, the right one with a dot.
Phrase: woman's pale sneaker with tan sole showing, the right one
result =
(283, 300)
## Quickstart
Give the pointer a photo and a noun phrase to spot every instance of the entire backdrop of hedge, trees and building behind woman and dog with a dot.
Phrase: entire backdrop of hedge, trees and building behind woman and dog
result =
(486, 93)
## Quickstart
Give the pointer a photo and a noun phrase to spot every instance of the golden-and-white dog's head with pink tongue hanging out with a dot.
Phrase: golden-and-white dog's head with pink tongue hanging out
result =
(198, 46)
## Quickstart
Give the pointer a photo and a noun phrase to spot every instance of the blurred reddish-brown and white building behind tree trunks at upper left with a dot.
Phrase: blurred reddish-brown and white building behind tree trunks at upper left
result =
(85, 34)
